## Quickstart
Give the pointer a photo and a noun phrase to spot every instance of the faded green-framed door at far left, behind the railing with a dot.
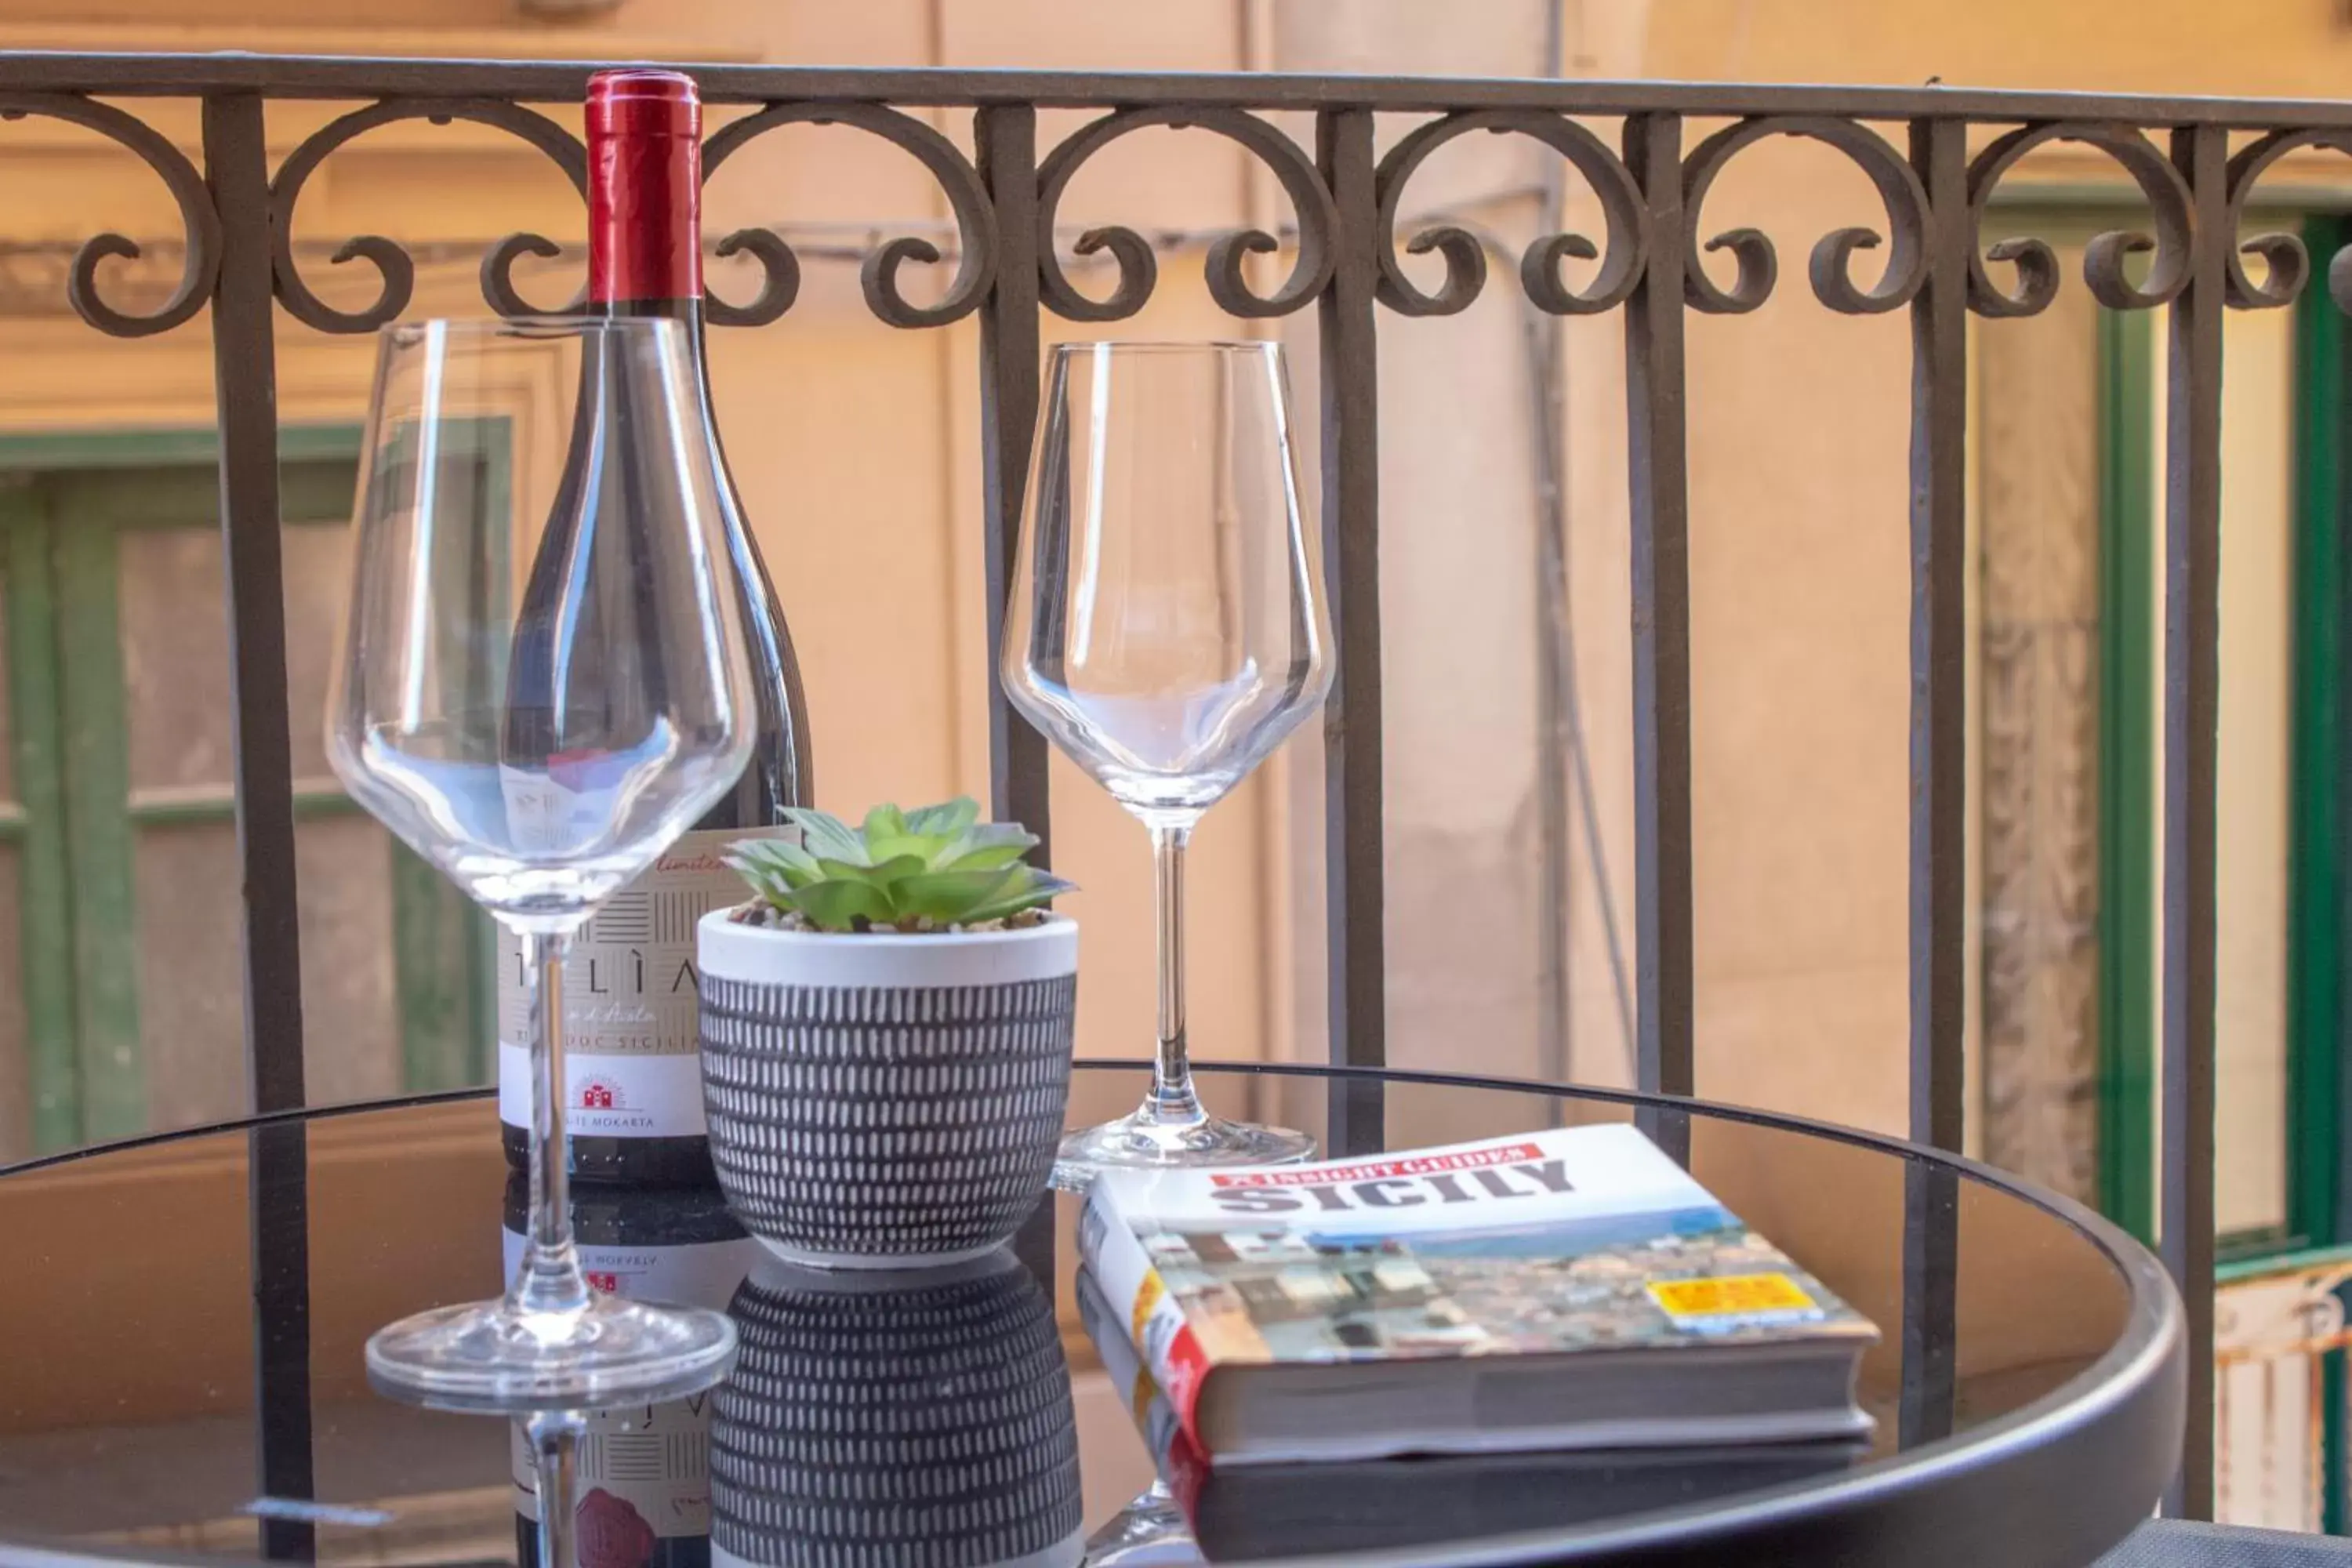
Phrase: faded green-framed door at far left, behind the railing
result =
(119, 869)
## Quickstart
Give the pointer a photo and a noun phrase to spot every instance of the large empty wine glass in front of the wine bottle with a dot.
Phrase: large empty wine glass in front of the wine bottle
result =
(542, 685)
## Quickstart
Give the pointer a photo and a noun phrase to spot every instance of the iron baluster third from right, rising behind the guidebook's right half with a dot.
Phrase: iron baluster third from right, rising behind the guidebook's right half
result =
(1662, 617)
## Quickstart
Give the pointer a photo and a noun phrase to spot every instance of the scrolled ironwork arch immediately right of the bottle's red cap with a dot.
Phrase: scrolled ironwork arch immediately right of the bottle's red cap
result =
(975, 222)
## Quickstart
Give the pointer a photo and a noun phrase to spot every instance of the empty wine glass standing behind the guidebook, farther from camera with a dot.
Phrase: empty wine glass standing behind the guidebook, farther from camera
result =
(1168, 631)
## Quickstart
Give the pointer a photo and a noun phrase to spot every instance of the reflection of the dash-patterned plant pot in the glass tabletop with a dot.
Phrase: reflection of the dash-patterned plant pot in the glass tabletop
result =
(895, 1428)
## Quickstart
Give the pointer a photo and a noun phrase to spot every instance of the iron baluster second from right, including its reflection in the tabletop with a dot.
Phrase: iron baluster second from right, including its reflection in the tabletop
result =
(1939, 791)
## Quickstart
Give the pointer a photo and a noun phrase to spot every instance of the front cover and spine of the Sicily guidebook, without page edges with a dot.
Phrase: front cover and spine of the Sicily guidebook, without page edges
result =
(1568, 1240)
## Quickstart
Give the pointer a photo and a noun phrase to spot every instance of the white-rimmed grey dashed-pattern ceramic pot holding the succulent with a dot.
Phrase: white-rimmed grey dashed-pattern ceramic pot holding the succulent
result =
(886, 1101)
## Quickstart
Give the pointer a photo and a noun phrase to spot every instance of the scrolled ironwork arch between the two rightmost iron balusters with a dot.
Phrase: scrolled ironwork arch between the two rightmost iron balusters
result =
(2104, 257)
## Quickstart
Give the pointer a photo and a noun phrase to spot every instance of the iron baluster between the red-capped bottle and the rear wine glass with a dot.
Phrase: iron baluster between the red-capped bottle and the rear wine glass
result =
(1005, 142)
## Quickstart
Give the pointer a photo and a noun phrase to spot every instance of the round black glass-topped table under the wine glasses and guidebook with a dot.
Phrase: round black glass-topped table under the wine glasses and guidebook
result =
(182, 1376)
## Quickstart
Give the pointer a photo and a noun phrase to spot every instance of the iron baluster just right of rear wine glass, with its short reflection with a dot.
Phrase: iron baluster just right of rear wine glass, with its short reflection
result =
(1351, 535)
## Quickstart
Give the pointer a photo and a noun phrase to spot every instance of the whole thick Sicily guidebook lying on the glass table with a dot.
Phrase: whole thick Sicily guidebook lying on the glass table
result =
(1563, 1289)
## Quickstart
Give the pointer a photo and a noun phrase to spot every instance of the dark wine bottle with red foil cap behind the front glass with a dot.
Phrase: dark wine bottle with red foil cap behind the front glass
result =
(632, 1068)
